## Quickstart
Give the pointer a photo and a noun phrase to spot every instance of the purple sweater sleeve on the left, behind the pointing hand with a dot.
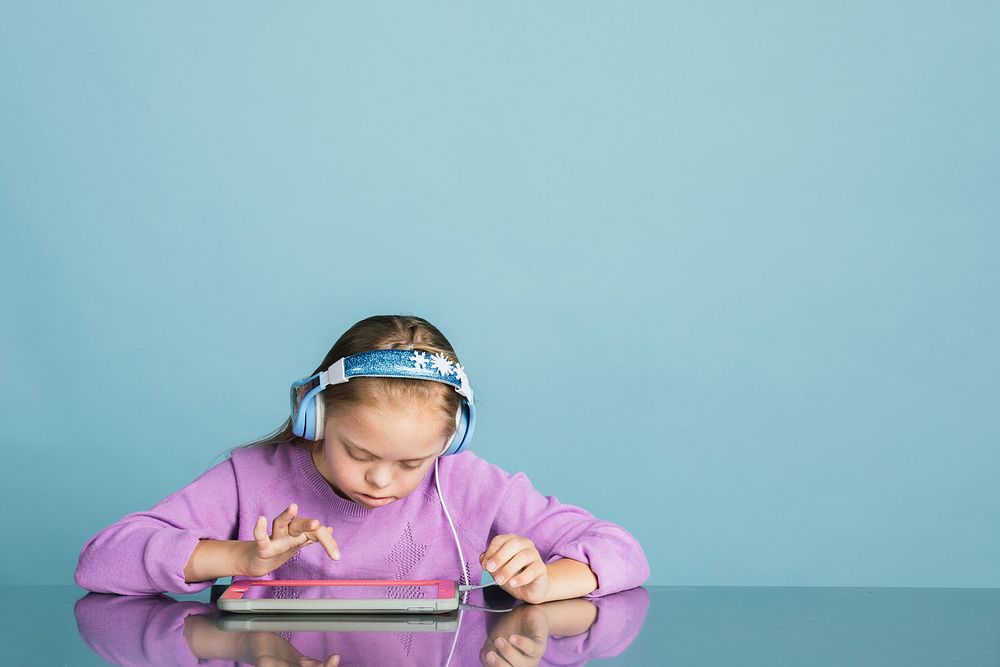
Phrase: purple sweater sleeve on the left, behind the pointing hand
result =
(145, 552)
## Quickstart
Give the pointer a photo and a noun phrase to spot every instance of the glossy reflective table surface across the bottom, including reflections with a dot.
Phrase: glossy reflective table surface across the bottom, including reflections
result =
(62, 625)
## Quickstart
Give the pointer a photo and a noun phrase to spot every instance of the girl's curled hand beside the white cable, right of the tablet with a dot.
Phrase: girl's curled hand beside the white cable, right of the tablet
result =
(517, 567)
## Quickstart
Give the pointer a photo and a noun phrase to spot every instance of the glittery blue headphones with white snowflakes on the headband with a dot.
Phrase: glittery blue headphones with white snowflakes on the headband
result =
(307, 406)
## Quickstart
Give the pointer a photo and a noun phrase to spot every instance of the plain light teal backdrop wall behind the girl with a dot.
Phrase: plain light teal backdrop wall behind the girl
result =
(725, 273)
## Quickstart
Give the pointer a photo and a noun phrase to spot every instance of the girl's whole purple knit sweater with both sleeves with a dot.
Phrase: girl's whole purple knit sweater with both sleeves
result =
(145, 552)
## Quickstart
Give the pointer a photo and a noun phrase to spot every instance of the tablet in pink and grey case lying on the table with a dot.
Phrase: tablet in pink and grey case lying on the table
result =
(368, 596)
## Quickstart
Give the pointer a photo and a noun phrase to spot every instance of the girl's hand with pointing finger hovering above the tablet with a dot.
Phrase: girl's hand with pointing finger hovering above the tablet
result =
(290, 533)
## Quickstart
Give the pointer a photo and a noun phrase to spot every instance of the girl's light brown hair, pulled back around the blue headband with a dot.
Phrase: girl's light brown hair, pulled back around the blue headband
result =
(381, 332)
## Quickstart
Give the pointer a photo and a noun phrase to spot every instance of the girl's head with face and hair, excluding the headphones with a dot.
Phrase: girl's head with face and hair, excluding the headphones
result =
(381, 435)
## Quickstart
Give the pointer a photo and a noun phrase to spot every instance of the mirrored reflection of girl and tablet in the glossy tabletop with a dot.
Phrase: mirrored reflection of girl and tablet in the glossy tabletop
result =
(157, 630)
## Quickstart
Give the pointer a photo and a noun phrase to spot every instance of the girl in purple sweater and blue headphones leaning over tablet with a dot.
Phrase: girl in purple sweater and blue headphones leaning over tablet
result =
(377, 441)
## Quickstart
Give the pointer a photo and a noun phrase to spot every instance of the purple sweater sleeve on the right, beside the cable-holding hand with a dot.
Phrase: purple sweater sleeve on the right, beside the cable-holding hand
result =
(566, 531)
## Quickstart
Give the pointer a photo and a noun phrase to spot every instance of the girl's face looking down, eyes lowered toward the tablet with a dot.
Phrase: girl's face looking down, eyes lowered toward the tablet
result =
(377, 455)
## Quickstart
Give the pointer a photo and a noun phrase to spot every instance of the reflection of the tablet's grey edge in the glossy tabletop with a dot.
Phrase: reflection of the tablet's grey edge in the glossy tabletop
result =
(340, 622)
